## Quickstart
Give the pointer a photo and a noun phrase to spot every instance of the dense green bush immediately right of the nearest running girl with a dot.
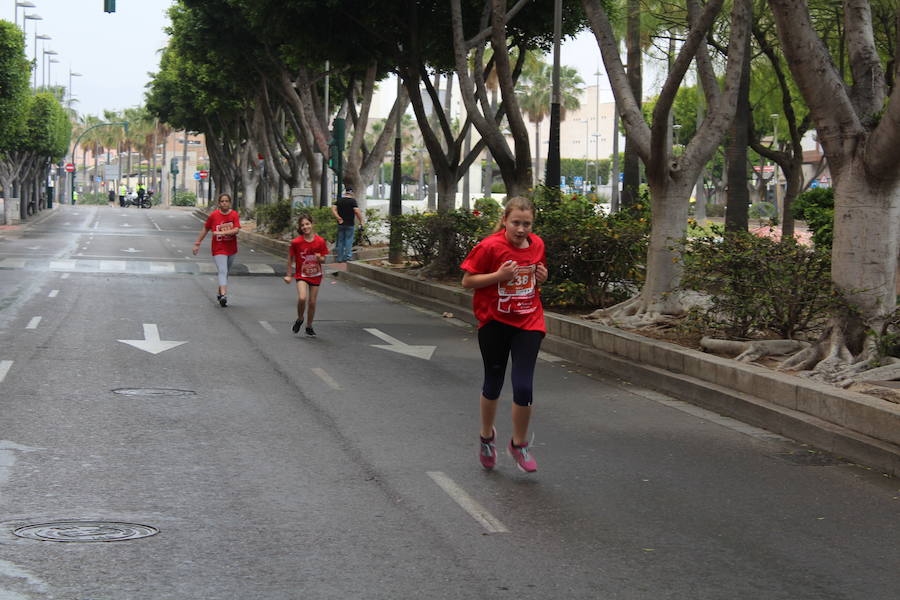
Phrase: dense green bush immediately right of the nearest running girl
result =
(593, 259)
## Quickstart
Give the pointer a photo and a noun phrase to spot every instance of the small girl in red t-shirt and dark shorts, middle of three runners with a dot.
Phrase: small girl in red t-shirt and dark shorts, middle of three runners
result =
(305, 258)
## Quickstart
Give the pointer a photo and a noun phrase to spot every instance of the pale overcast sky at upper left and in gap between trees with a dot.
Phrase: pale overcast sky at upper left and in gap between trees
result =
(115, 52)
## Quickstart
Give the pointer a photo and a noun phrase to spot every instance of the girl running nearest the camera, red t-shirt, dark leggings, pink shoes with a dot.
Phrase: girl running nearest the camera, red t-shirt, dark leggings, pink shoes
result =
(505, 270)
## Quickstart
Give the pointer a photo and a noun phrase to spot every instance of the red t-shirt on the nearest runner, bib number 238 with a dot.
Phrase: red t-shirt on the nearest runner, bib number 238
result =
(516, 302)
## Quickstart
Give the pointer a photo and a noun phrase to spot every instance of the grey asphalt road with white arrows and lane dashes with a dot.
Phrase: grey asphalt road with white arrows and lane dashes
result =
(268, 465)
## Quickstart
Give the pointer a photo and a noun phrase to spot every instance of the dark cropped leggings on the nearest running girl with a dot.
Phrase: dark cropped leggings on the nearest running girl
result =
(497, 342)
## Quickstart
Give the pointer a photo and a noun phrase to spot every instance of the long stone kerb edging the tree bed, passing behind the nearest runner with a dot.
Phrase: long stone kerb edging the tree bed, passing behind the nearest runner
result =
(860, 428)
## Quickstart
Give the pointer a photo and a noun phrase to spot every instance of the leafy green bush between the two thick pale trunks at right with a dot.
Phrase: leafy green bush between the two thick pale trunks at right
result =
(757, 285)
